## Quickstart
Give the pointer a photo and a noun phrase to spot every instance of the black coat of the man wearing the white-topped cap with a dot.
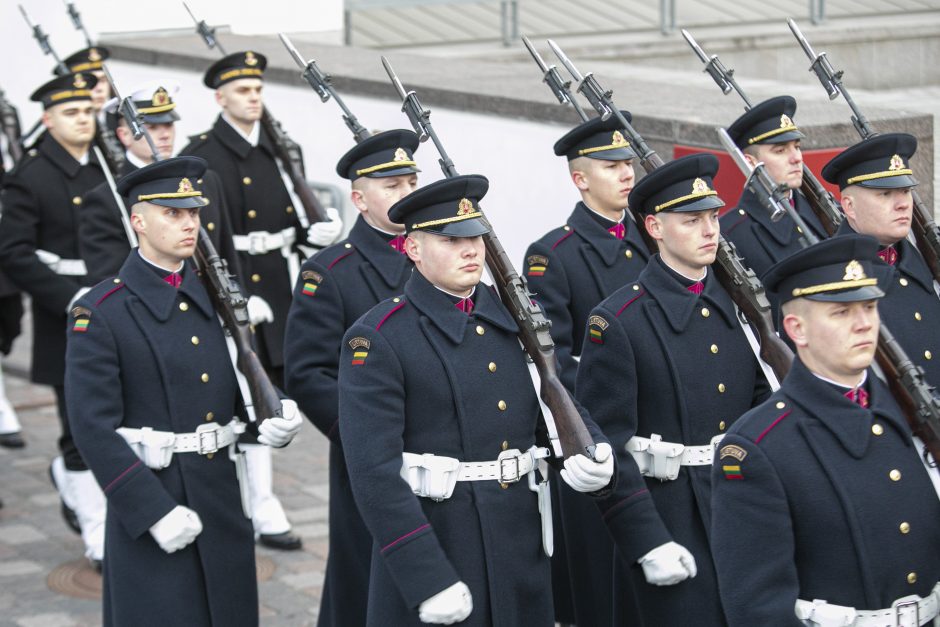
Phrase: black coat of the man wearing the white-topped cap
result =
(103, 242)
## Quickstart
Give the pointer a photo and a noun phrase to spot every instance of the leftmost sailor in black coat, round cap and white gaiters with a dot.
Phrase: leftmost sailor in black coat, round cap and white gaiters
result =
(39, 252)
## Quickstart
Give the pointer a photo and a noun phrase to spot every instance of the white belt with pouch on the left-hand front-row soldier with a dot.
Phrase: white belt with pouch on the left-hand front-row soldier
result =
(156, 448)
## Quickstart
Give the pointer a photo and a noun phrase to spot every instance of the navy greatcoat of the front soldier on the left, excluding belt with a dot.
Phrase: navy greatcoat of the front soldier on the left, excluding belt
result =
(138, 364)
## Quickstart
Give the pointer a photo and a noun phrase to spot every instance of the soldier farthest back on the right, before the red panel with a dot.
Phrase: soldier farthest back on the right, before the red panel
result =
(767, 134)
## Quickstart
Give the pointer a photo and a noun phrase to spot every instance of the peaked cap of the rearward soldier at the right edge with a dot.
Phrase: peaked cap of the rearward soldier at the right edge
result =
(879, 162)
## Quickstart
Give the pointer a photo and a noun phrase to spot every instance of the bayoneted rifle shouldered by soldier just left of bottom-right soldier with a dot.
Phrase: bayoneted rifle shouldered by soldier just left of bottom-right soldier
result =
(738, 280)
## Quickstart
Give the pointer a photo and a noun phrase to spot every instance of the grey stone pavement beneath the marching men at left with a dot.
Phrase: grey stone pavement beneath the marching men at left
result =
(34, 540)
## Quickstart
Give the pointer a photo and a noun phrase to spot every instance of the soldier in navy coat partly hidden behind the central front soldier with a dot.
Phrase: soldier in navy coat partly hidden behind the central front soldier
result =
(336, 287)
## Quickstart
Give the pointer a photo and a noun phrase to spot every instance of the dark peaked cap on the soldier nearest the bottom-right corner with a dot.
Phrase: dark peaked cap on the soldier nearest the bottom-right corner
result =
(838, 269)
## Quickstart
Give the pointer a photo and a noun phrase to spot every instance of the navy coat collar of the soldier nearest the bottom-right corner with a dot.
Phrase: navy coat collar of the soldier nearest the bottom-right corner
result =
(847, 421)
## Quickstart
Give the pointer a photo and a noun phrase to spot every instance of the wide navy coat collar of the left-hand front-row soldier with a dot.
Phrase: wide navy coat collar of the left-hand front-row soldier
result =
(158, 295)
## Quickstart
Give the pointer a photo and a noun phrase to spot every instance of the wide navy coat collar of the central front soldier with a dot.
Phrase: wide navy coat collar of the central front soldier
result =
(435, 304)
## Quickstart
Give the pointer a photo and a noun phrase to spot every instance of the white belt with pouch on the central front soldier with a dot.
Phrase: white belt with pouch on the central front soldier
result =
(434, 476)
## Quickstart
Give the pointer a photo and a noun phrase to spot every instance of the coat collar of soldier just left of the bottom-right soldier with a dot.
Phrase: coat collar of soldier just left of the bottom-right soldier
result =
(678, 303)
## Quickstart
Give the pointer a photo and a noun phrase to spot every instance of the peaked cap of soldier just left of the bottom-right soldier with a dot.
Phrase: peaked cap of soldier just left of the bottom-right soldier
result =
(683, 185)
